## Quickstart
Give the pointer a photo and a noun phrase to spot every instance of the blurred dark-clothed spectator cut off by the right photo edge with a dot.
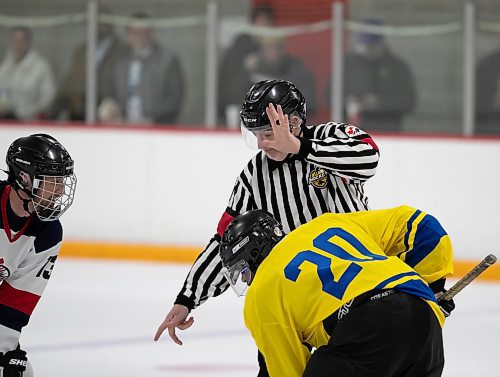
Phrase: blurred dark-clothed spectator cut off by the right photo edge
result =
(488, 94)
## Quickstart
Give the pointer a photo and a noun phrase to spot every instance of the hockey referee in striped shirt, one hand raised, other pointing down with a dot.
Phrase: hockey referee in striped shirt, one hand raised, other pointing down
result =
(299, 173)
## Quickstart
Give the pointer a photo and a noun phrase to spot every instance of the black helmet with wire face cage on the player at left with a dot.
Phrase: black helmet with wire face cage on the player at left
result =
(41, 167)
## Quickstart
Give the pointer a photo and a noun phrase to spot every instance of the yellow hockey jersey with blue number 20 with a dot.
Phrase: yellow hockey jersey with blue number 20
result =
(332, 259)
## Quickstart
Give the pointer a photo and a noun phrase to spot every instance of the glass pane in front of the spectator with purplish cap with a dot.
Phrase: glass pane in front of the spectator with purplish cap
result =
(403, 66)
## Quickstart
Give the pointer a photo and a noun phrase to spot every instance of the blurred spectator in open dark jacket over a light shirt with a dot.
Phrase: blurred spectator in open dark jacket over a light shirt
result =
(148, 84)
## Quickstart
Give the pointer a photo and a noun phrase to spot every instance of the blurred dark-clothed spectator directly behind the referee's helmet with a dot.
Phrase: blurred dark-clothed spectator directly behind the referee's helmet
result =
(268, 60)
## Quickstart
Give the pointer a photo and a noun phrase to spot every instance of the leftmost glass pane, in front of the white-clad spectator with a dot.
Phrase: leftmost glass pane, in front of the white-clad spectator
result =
(42, 69)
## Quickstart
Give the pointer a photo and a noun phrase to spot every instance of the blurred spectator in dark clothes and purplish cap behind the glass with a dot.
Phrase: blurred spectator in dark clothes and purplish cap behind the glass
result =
(379, 87)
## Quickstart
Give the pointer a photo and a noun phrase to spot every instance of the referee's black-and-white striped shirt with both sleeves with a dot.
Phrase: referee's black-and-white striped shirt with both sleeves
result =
(327, 175)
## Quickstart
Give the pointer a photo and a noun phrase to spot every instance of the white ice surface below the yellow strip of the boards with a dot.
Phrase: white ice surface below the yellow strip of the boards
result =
(98, 319)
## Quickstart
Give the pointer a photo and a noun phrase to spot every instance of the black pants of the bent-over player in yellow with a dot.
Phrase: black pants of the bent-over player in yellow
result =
(393, 336)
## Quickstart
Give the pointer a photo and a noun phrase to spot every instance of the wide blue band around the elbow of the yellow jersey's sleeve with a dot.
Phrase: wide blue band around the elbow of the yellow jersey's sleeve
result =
(428, 235)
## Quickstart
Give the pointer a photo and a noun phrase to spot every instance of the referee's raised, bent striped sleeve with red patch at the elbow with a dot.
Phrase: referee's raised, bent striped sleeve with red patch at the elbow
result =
(343, 149)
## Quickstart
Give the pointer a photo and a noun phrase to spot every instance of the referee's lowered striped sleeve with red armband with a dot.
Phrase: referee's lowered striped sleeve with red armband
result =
(205, 279)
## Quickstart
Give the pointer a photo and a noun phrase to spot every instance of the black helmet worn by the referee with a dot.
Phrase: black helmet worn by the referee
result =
(279, 92)
